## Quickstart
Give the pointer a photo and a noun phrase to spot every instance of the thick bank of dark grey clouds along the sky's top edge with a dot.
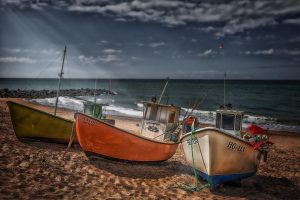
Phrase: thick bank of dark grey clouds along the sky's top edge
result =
(231, 16)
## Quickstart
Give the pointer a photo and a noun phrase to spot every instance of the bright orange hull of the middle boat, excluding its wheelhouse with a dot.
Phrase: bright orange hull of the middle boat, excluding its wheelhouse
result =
(106, 140)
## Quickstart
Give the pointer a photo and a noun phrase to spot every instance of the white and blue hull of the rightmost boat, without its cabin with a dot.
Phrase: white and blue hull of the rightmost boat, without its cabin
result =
(219, 156)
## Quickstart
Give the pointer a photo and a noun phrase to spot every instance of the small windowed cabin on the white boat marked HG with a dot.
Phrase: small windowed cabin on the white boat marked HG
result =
(230, 121)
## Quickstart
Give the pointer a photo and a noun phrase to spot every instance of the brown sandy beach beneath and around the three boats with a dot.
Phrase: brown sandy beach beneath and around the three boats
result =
(39, 170)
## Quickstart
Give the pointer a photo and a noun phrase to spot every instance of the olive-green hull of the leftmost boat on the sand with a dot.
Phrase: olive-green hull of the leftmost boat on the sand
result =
(36, 124)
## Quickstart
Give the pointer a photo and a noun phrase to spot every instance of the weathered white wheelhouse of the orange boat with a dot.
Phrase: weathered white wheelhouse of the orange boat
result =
(160, 121)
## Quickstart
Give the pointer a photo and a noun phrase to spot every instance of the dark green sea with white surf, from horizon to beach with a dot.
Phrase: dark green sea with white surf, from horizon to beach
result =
(271, 104)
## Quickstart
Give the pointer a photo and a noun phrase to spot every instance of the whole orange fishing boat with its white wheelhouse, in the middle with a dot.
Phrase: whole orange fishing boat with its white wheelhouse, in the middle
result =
(106, 140)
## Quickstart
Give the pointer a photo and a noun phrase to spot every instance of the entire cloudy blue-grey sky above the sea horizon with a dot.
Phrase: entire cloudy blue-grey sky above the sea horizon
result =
(151, 39)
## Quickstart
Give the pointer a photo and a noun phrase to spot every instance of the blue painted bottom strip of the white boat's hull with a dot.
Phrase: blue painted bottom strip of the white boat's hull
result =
(218, 179)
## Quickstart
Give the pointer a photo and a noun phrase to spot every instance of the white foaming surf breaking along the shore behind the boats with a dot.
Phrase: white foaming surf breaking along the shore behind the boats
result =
(207, 117)
